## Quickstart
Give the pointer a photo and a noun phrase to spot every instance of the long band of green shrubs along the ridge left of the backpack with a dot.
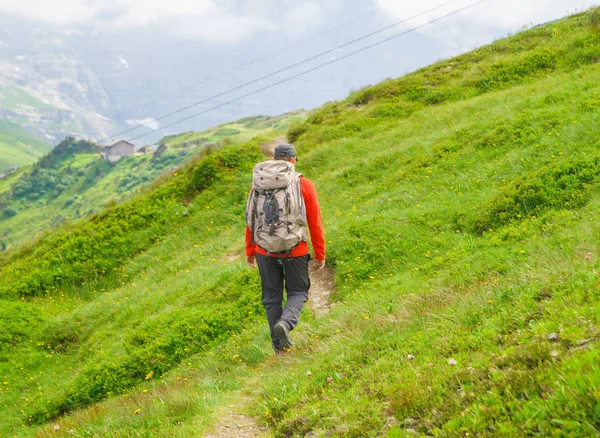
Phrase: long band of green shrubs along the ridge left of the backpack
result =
(89, 251)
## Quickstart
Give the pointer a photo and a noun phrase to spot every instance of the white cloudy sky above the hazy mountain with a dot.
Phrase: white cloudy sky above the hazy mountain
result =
(233, 21)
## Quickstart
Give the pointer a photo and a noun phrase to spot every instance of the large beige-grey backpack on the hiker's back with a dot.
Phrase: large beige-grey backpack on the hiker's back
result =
(275, 212)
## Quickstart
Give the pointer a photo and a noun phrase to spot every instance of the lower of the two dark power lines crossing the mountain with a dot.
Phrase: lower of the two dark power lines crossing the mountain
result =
(313, 69)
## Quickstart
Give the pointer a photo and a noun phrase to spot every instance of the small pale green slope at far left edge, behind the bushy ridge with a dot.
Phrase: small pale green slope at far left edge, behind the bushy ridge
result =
(18, 147)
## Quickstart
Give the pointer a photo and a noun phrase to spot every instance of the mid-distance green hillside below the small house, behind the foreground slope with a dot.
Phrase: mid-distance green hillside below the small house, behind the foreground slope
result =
(76, 185)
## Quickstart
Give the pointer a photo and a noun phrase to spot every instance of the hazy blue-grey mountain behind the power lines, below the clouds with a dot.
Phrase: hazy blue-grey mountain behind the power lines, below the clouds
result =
(94, 82)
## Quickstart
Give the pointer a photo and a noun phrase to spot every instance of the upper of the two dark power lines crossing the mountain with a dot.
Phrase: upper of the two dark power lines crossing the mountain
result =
(289, 67)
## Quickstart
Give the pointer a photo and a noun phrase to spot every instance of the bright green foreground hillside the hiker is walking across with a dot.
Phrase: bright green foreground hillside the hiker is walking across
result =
(460, 204)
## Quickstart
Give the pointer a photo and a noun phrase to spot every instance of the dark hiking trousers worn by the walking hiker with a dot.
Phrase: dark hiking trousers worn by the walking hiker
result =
(277, 273)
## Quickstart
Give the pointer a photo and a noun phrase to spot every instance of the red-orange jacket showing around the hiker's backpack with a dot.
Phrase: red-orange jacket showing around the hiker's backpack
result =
(315, 226)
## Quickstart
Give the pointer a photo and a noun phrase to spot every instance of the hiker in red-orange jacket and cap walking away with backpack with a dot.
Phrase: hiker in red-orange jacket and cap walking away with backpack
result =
(281, 204)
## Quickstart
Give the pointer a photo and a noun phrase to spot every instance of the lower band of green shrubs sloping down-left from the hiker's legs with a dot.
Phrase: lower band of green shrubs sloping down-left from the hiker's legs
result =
(155, 345)
